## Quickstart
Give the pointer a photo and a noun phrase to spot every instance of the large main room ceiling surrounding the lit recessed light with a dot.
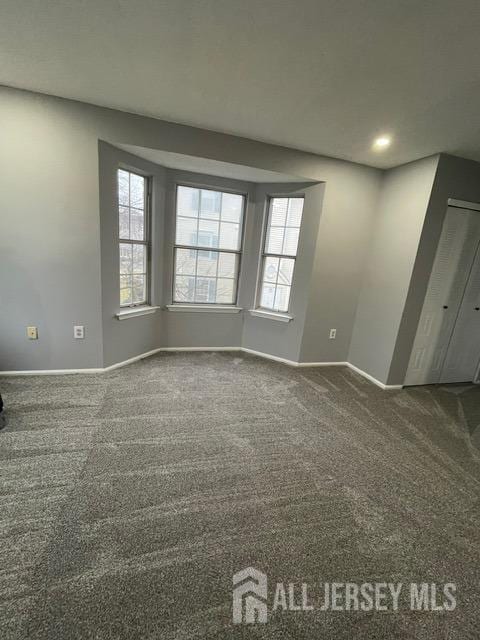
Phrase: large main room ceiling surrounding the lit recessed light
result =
(322, 75)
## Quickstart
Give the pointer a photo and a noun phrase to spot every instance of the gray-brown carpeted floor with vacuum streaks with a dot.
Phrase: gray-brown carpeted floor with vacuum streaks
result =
(128, 500)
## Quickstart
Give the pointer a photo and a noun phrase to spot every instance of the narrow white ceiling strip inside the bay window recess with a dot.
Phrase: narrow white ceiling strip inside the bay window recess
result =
(209, 167)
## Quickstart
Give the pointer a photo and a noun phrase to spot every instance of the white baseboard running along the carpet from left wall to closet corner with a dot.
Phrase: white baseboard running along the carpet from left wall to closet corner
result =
(260, 354)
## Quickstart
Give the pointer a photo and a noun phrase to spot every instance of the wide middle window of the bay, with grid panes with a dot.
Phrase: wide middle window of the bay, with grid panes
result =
(207, 246)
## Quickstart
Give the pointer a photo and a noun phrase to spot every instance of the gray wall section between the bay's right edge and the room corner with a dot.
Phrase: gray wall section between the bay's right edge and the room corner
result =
(343, 239)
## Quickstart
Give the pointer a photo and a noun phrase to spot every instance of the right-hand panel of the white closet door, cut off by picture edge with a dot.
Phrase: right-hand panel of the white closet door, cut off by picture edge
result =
(463, 353)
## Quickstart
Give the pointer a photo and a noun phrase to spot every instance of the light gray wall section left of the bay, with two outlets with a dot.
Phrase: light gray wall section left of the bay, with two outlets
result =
(49, 235)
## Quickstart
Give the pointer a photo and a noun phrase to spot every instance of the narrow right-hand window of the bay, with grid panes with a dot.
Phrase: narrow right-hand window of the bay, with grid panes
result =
(280, 251)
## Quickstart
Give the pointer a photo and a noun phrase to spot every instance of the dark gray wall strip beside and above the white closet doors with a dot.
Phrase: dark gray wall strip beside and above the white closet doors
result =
(456, 178)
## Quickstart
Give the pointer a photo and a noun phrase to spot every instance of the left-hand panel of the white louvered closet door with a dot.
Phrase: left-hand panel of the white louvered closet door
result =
(453, 262)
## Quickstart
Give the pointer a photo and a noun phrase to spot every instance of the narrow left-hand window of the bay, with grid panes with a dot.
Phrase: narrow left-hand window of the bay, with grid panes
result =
(134, 248)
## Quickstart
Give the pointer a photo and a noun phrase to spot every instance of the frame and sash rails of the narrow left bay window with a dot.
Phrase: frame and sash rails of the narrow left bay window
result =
(146, 242)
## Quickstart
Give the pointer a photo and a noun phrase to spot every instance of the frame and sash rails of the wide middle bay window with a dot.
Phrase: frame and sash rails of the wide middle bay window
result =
(238, 252)
